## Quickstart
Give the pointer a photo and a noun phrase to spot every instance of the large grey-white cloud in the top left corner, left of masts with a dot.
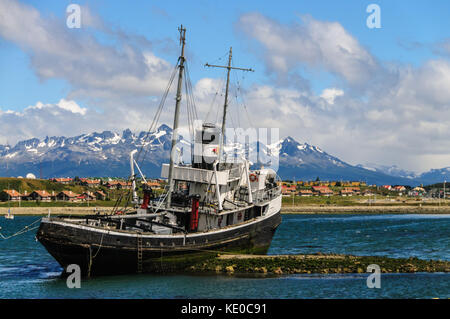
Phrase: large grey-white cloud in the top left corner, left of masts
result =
(76, 56)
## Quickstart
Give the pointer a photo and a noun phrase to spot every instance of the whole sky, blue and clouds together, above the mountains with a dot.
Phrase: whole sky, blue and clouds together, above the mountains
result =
(366, 95)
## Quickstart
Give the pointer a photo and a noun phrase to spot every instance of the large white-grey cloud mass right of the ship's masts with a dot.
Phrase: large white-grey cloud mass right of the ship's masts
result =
(390, 113)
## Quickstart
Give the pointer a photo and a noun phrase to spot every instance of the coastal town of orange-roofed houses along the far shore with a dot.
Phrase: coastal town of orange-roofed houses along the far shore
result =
(103, 190)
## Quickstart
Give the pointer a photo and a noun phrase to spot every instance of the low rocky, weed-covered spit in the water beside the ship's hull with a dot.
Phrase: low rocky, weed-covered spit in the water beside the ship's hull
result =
(315, 264)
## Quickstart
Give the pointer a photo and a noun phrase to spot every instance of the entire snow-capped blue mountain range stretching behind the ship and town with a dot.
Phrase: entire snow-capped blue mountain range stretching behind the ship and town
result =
(107, 154)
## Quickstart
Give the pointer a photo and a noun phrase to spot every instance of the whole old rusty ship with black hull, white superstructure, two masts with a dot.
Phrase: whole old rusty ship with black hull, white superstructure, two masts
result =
(210, 206)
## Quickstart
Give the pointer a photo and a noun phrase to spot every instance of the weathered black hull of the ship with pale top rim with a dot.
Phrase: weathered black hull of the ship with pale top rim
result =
(108, 253)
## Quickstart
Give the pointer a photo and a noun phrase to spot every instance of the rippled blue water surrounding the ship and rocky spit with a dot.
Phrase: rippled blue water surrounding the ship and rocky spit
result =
(28, 271)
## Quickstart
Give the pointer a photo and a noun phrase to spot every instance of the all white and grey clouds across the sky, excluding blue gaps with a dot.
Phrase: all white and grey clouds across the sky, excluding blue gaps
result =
(396, 114)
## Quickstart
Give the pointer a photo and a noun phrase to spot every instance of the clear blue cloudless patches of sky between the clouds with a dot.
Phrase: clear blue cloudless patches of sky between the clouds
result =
(211, 31)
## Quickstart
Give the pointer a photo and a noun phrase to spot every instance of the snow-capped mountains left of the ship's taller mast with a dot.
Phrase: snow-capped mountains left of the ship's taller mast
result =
(94, 154)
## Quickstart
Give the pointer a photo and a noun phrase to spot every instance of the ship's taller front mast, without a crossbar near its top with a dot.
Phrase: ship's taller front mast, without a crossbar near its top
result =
(181, 60)
